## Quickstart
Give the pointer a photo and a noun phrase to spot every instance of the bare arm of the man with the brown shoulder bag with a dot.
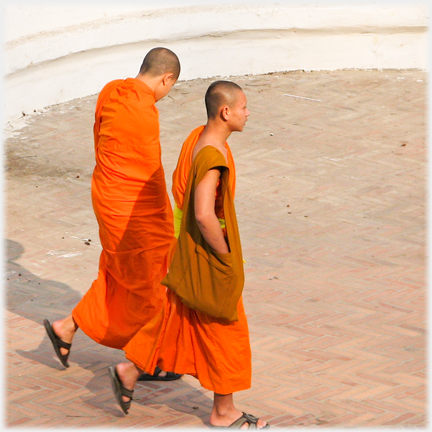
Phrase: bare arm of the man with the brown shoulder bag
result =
(205, 215)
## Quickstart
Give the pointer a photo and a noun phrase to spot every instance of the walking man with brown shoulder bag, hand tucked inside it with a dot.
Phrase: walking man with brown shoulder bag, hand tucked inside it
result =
(191, 341)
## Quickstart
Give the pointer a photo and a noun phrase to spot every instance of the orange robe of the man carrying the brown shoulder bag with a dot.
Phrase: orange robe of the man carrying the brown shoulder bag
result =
(191, 342)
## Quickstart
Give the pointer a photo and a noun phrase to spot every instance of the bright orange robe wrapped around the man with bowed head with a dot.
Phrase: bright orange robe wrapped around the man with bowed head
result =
(134, 214)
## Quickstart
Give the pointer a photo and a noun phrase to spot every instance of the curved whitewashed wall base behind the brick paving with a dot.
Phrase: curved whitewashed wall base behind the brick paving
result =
(54, 54)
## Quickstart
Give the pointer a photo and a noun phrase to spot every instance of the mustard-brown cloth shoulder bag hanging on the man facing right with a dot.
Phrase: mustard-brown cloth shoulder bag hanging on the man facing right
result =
(206, 280)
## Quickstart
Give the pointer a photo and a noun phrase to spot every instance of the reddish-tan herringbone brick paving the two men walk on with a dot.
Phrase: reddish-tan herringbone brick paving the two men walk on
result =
(331, 204)
